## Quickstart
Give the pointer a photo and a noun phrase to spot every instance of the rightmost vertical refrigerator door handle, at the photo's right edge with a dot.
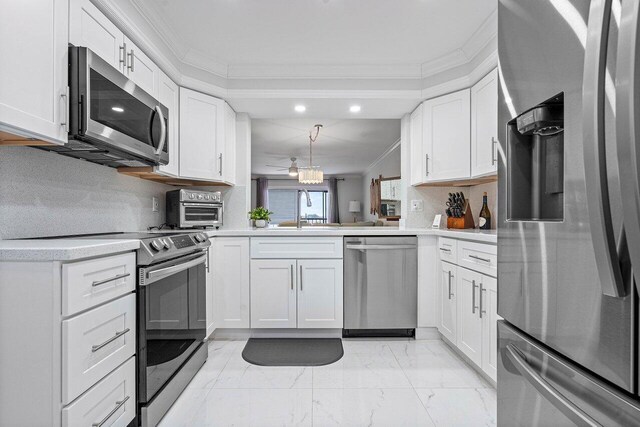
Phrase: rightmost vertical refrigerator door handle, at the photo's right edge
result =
(628, 128)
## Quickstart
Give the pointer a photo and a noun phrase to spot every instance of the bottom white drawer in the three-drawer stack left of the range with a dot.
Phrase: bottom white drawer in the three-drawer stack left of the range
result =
(111, 402)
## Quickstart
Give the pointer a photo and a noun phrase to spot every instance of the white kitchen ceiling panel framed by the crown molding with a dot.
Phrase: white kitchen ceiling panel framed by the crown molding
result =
(231, 36)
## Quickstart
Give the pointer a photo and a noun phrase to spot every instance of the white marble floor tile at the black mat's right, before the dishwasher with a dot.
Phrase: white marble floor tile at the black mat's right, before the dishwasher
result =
(375, 368)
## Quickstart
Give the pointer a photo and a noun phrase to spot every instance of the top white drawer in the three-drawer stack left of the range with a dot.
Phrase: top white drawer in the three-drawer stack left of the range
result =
(86, 284)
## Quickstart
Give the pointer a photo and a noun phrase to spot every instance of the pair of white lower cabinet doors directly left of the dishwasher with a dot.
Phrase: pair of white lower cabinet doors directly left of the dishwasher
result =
(288, 293)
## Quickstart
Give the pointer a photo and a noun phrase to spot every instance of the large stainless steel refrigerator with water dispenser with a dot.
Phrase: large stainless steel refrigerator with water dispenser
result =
(568, 212)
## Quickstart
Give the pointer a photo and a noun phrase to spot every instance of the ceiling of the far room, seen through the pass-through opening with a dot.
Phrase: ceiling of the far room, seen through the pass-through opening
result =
(344, 147)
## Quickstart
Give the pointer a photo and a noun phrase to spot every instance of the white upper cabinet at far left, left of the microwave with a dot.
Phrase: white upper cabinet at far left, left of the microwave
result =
(34, 68)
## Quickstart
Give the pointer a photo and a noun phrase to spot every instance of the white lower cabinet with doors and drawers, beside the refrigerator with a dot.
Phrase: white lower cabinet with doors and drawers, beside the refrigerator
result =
(468, 308)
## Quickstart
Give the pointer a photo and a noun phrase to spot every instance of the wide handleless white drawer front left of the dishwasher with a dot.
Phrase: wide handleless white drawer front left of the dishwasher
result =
(296, 247)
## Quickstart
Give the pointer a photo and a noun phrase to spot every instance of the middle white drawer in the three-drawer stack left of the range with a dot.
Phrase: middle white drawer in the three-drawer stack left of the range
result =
(95, 343)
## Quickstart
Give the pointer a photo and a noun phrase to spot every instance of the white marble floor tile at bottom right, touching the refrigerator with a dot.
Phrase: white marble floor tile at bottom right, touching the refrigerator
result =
(460, 407)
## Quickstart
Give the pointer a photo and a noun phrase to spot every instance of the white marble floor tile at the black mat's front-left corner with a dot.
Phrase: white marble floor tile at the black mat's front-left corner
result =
(238, 373)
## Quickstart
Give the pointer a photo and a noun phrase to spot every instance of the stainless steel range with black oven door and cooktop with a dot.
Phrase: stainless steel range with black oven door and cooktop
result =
(171, 316)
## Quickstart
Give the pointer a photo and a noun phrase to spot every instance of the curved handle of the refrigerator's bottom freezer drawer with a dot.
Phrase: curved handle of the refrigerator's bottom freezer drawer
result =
(570, 410)
